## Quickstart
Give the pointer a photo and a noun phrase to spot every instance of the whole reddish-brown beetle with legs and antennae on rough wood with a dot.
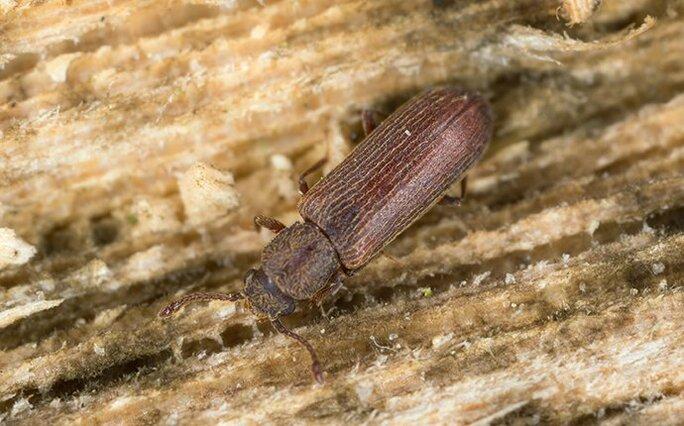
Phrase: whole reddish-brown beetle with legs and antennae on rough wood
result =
(395, 175)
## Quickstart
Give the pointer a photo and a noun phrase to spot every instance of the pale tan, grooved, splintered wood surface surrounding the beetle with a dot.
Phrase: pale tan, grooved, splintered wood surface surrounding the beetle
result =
(139, 138)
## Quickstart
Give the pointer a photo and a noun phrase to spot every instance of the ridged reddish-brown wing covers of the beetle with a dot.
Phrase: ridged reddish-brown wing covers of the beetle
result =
(398, 172)
